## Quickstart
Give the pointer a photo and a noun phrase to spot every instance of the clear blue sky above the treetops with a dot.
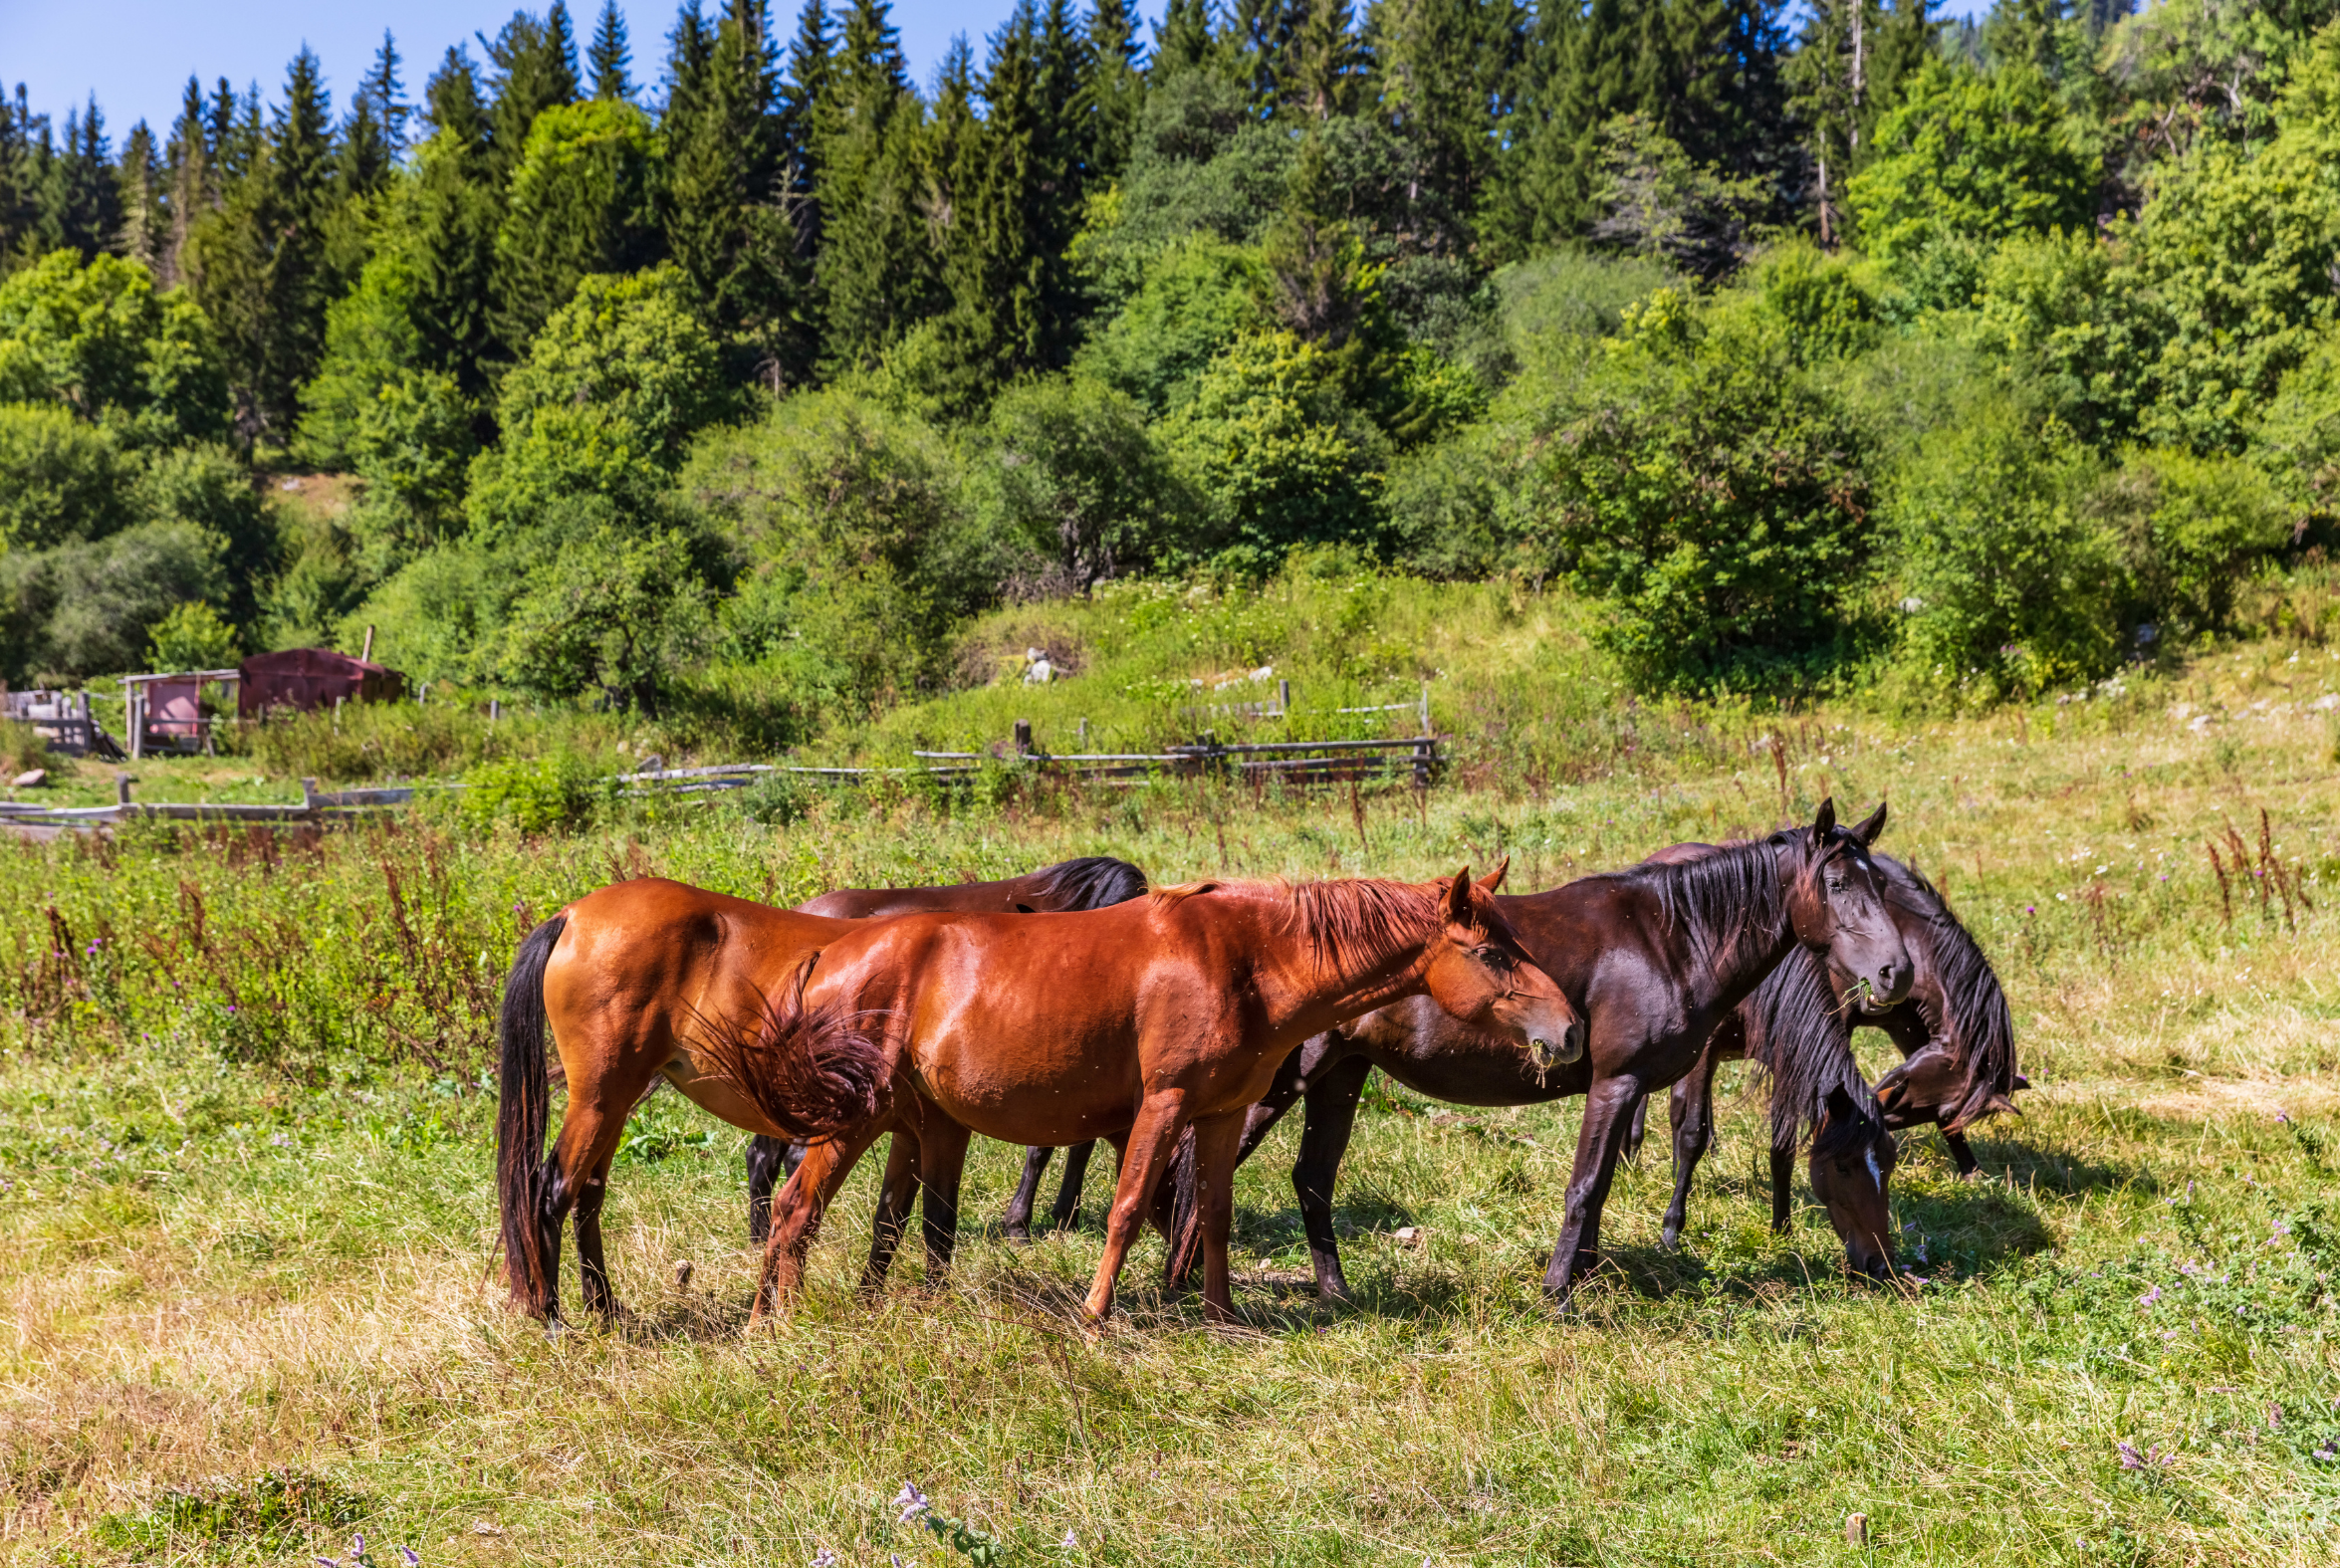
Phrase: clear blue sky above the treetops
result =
(135, 55)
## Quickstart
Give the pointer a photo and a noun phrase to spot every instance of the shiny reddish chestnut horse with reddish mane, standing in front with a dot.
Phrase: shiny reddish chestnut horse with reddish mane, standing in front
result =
(1136, 1024)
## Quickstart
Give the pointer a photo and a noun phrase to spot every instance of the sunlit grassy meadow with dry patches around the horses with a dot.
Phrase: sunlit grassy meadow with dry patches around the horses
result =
(247, 1202)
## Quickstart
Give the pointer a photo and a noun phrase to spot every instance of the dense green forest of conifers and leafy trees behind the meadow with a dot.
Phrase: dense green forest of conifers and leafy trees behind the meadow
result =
(1817, 352)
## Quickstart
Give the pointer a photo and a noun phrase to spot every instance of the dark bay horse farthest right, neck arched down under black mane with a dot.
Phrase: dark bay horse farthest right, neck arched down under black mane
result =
(1953, 1029)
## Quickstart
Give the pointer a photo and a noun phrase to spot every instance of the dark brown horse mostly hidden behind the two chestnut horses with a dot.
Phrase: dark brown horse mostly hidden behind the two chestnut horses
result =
(1089, 883)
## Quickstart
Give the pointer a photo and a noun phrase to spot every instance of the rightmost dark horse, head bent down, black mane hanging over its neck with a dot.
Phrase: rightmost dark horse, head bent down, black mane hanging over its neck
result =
(1953, 1031)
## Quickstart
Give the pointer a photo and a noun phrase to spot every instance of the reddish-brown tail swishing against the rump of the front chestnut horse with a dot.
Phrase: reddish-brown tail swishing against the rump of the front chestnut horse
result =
(811, 1071)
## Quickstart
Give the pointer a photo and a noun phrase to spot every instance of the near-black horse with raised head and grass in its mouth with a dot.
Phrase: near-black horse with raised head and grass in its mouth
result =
(1656, 958)
